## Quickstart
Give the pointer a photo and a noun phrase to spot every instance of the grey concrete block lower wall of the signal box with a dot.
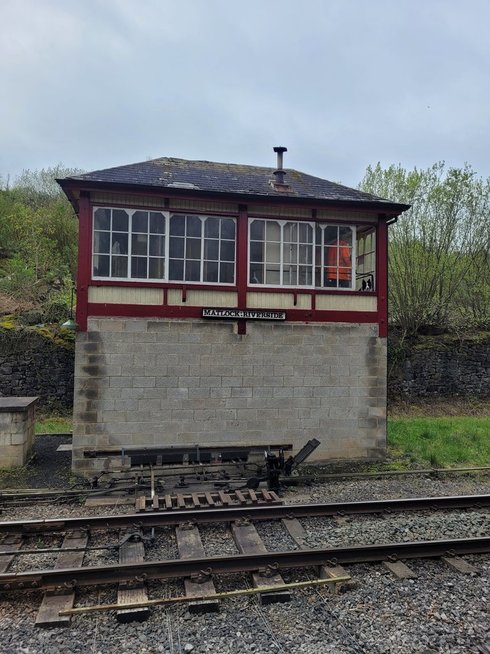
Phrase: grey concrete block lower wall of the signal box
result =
(157, 382)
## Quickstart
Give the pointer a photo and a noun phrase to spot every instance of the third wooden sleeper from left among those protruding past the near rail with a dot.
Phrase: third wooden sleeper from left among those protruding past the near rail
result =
(190, 547)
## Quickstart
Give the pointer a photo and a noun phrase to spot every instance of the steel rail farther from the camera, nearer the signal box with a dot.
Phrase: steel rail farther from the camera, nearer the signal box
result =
(254, 512)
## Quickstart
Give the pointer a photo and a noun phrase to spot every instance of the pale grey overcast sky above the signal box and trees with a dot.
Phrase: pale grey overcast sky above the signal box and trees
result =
(340, 83)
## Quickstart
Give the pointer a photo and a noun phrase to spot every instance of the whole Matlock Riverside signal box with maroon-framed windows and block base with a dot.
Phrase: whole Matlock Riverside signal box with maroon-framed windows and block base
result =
(228, 305)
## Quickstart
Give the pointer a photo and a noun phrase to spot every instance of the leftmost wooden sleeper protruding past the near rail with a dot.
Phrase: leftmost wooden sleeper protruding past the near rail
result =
(54, 602)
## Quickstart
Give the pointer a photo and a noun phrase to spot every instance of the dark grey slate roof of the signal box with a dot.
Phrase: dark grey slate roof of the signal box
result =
(210, 177)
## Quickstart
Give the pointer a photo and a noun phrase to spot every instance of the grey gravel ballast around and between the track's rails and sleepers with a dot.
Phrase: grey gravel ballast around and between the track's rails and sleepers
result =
(439, 611)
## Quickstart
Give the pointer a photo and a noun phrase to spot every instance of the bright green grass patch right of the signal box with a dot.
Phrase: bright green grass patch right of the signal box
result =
(441, 442)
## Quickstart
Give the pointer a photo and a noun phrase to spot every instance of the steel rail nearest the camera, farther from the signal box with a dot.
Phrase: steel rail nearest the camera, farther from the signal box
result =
(134, 573)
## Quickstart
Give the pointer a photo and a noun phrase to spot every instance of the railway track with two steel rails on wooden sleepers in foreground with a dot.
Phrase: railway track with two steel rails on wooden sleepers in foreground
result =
(132, 537)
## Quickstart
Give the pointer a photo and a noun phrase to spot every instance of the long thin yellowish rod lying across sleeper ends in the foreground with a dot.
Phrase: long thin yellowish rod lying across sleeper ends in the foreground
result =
(204, 598)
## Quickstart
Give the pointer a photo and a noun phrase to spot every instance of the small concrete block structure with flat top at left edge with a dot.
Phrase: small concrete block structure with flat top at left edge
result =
(17, 418)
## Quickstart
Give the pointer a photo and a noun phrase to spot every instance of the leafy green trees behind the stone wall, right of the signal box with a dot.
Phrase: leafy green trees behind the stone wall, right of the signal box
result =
(439, 249)
